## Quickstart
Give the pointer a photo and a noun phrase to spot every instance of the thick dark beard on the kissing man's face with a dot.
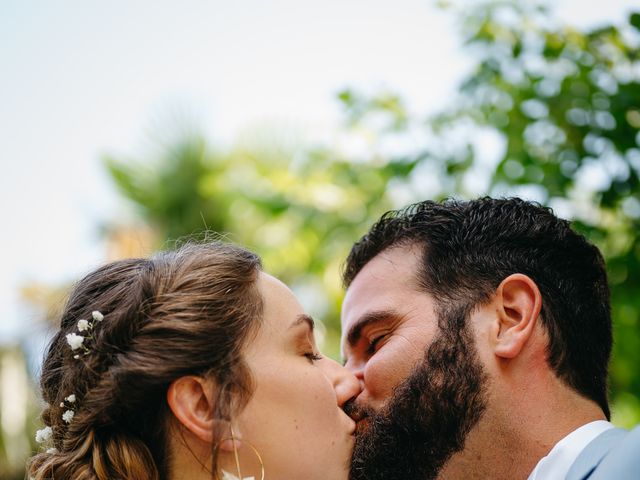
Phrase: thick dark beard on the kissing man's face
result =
(429, 415)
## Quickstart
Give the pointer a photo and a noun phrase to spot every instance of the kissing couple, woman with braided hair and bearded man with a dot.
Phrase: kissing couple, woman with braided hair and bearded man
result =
(476, 338)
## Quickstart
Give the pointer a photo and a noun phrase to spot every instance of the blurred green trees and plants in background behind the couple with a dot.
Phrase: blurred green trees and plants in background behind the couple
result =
(545, 111)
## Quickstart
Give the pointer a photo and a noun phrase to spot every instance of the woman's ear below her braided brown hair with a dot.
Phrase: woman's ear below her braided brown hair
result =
(191, 399)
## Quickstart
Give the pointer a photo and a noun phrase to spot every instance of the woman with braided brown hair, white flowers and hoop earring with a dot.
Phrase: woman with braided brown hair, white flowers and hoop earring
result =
(192, 364)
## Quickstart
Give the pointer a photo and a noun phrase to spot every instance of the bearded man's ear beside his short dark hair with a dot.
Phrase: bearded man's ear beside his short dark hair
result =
(519, 302)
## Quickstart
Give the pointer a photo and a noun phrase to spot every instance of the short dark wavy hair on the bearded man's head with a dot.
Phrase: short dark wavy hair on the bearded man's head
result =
(469, 247)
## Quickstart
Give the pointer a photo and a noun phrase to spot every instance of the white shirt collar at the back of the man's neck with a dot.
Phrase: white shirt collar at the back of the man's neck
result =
(557, 463)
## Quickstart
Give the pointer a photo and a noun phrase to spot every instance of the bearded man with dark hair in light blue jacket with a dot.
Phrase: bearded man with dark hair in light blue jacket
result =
(481, 333)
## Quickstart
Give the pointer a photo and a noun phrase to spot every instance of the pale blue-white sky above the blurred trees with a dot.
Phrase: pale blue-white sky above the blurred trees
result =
(82, 78)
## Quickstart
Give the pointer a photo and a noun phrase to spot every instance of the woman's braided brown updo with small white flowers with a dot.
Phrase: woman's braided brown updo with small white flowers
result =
(183, 312)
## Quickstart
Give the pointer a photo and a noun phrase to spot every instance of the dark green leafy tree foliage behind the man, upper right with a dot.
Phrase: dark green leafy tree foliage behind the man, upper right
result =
(567, 104)
